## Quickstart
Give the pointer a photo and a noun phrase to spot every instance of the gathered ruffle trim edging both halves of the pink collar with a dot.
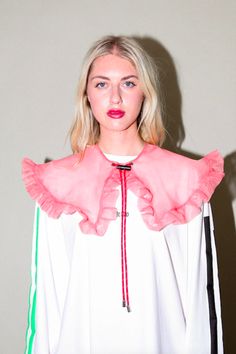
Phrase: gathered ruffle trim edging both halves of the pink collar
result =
(154, 219)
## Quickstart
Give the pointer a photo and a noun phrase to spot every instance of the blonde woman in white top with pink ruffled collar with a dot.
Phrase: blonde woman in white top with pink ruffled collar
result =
(150, 208)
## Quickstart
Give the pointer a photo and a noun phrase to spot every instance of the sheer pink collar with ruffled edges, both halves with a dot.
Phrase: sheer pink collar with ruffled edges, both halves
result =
(170, 188)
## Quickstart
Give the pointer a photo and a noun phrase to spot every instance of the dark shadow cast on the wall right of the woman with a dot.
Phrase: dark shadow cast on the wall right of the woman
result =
(221, 202)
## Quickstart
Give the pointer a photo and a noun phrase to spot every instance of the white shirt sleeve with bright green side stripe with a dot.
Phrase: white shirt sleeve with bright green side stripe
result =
(49, 279)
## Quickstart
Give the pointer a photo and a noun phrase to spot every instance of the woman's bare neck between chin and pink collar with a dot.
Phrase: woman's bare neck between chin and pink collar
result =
(121, 143)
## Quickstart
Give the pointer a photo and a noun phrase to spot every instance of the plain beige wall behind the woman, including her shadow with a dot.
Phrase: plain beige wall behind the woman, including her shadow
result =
(42, 44)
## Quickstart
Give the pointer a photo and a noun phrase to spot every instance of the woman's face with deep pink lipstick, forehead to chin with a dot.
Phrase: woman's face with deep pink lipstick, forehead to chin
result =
(114, 93)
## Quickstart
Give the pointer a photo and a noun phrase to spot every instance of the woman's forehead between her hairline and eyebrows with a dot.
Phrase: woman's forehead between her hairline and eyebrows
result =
(111, 63)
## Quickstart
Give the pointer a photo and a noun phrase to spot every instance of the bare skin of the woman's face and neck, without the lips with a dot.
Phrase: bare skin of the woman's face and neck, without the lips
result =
(113, 84)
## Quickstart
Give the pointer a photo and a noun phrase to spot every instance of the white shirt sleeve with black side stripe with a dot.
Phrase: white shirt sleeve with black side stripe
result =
(203, 320)
